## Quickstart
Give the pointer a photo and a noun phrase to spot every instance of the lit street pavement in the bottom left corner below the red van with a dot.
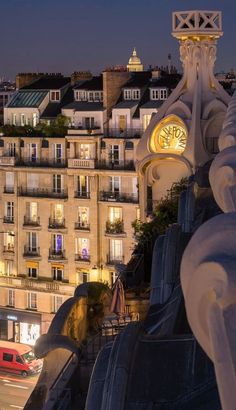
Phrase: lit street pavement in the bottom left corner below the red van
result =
(15, 390)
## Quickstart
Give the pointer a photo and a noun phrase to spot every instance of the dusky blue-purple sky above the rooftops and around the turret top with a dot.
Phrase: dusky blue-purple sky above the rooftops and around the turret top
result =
(69, 35)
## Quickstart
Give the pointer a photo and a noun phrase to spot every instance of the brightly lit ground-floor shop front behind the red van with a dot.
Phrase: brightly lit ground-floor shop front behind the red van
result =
(20, 326)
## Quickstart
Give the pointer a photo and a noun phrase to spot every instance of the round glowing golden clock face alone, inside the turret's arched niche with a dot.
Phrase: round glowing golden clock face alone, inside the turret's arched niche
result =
(172, 137)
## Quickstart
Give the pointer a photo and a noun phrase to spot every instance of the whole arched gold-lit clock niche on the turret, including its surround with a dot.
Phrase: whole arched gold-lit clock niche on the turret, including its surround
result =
(170, 135)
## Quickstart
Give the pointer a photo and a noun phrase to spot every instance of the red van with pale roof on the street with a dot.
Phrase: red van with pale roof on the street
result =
(18, 358)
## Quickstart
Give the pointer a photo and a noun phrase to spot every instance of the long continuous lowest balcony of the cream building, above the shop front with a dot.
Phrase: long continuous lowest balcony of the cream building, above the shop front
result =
(38, 284)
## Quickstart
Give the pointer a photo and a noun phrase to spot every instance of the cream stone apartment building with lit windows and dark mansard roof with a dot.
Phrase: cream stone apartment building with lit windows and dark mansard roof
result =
(68, 202)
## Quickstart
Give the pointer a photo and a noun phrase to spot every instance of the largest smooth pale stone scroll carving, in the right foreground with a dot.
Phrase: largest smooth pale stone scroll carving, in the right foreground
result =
(208, 278)
